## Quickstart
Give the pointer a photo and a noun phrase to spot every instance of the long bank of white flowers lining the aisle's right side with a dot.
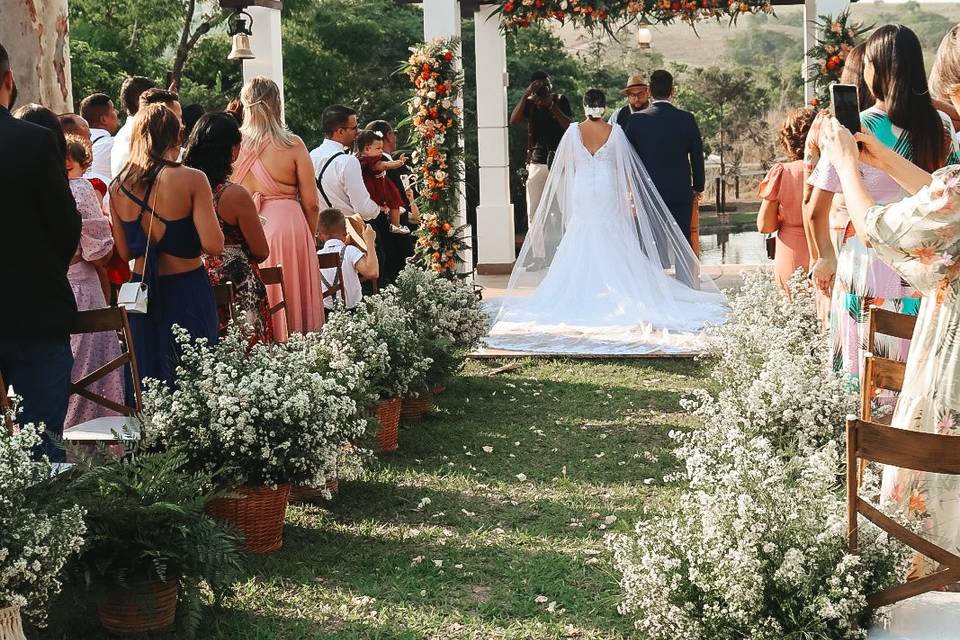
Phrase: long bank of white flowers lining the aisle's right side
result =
(756, 547)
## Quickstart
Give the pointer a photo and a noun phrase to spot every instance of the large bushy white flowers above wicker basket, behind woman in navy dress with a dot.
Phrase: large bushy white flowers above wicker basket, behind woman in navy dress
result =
(261, 415)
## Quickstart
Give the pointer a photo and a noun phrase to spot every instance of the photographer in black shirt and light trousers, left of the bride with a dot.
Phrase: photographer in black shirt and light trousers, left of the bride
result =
(547, 115)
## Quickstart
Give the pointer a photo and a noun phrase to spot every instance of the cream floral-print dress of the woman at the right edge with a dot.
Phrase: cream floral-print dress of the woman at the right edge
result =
(920, 238)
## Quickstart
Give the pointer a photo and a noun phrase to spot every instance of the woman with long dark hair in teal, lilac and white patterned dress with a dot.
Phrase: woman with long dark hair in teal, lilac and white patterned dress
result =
(904, 120)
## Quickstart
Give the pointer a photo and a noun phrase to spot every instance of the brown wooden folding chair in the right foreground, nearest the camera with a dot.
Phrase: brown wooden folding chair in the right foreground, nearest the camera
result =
(928, 452)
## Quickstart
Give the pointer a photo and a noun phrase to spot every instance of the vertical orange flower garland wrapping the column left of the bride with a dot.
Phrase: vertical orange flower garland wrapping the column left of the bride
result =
(436, 116)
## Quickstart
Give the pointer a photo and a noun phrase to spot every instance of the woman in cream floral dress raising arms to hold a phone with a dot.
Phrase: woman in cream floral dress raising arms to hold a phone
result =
(920, 238)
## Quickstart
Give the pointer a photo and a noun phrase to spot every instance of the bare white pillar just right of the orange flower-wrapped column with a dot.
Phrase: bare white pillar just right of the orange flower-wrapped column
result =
(495, 233)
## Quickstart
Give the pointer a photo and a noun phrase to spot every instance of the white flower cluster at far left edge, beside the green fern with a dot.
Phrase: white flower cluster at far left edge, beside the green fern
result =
(37, 537)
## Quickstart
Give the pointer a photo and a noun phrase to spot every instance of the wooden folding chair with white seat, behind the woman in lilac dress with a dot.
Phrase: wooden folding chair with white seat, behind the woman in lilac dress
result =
(127, 425)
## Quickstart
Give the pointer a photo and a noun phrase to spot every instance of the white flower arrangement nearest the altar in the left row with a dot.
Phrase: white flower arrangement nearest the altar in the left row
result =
(446, 315)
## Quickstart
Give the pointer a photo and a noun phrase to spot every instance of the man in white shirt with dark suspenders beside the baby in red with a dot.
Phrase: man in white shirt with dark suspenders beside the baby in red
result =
(339, 177)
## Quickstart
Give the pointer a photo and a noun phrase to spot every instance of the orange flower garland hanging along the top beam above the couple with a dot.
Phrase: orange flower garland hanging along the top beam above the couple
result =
(518, 14)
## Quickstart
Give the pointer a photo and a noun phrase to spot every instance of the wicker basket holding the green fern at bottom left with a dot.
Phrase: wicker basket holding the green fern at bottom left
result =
(147, 606)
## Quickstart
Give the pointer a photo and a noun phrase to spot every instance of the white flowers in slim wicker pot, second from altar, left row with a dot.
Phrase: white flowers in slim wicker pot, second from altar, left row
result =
(379, 335)
